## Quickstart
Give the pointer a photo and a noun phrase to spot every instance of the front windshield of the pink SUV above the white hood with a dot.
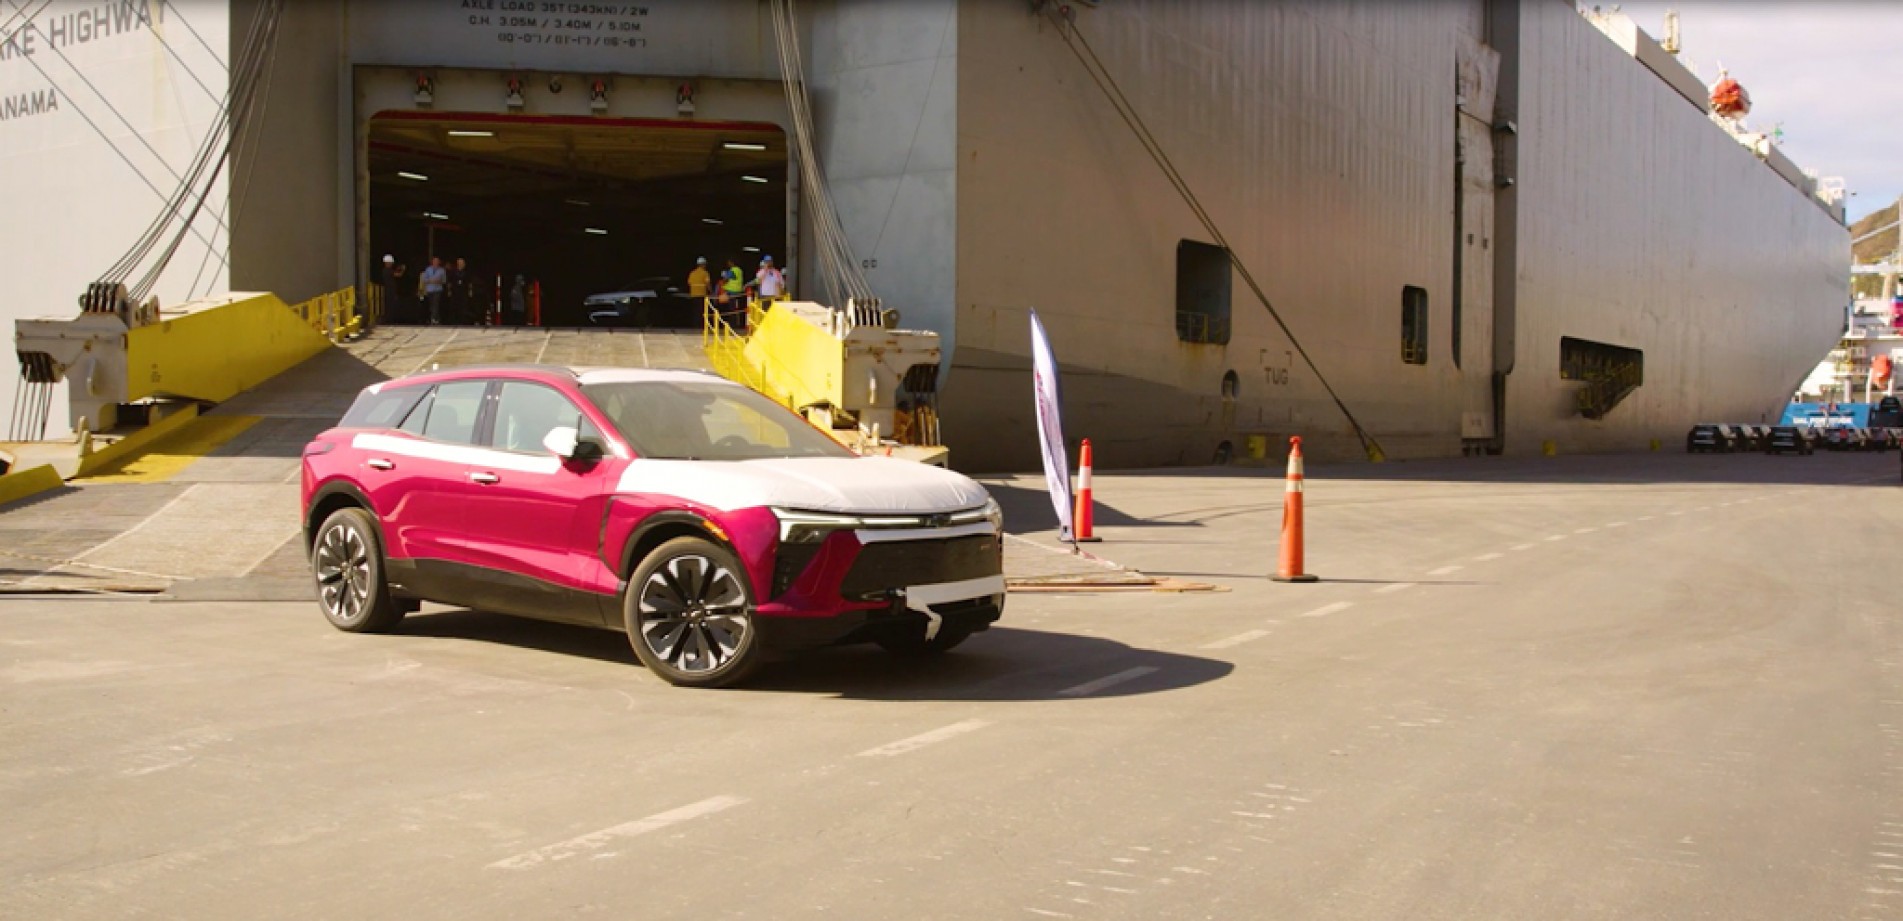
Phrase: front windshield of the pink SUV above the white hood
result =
(694, 421)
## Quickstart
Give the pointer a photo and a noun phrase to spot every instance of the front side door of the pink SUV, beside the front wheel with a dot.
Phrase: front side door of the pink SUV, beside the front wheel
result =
(536, 519)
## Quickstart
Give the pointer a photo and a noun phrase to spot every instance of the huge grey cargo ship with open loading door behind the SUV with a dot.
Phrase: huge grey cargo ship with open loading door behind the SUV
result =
(1394, 229)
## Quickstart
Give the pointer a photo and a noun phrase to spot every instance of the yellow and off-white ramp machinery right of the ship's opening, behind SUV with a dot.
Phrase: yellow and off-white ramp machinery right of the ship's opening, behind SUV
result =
(853, 374)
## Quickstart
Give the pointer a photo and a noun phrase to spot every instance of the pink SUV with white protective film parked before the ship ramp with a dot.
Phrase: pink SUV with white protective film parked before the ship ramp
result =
(699, 517)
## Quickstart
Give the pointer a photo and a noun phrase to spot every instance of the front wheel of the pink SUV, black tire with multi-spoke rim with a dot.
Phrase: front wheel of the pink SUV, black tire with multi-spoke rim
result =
(690, 616)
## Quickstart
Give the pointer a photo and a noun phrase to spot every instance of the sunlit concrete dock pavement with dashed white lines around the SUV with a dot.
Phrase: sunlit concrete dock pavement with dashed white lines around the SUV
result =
(1550, 688)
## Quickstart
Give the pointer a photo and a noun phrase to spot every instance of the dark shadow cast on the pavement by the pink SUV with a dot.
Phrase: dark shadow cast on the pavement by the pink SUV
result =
(998, 665)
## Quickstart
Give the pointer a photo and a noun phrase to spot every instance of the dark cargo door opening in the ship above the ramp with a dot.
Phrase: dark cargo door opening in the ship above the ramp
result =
(602, 216)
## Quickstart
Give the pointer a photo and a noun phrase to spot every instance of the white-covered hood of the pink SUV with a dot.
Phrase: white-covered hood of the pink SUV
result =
(819, 484)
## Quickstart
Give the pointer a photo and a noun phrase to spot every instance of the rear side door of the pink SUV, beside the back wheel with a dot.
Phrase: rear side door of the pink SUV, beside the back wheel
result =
(416, 477)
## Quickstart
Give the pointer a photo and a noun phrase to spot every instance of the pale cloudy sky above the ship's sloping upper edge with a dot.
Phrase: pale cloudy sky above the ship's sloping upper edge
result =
(1830, 71)
